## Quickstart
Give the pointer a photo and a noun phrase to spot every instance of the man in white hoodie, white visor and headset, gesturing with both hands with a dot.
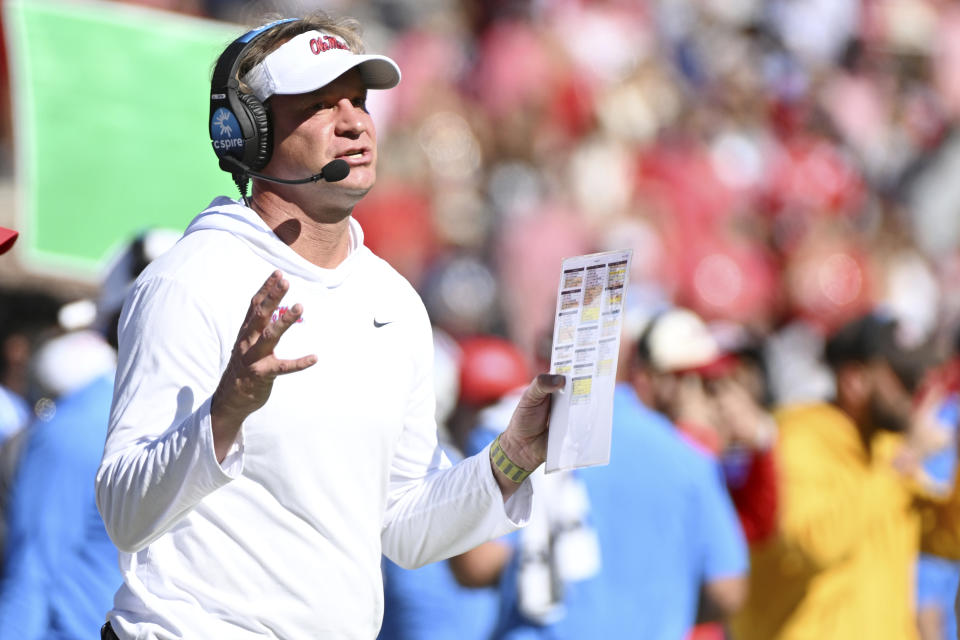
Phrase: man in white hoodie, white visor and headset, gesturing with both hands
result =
(250, 482)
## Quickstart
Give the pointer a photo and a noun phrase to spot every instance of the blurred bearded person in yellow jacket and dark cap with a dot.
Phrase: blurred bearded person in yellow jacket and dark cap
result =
(853, 516)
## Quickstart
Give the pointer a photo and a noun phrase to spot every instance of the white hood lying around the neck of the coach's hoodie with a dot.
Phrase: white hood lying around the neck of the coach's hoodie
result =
(226, 214)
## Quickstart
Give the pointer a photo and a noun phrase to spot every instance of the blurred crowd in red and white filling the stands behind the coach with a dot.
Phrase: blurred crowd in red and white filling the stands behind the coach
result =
(779, 167)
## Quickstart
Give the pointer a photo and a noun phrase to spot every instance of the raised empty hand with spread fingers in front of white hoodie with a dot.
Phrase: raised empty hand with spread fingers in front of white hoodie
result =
(248, 379)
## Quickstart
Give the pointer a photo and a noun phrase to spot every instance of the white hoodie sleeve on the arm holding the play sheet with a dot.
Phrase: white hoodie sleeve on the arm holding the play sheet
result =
(435, 510)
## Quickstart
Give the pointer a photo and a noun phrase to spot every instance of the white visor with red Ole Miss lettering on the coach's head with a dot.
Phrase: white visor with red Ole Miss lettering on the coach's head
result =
(315, 59)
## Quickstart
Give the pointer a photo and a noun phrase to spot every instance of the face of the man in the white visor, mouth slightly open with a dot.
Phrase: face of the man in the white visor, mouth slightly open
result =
(311, 129)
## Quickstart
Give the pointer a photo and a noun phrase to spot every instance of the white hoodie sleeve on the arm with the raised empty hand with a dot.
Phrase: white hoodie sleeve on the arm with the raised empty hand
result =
(159, 461)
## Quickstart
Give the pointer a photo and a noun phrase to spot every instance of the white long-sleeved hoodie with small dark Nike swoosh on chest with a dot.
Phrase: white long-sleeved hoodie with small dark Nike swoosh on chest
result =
(284, 538)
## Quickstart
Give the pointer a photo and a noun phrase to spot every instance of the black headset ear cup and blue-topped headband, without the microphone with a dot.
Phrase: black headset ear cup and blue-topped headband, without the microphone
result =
(240, 129)
